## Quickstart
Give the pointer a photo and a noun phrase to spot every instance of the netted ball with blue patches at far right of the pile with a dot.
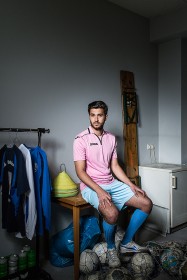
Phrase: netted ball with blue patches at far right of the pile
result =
(171, 260)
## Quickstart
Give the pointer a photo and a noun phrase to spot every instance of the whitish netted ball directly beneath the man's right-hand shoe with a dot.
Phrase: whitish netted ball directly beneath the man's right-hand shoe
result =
(142, 265)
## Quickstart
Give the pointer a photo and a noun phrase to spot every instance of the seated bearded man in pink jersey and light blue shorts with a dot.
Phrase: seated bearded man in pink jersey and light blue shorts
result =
(95, 158)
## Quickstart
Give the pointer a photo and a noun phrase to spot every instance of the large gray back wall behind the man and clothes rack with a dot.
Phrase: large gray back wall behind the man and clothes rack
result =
(55, 58)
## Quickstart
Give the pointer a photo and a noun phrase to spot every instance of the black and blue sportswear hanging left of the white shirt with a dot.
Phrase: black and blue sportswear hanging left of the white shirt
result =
(14, 186)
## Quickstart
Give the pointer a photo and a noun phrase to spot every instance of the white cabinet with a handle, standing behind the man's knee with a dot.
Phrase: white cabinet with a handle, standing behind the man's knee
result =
(166, 185)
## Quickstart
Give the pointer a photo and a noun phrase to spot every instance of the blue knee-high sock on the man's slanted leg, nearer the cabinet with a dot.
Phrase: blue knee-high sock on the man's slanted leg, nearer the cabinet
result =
(137, 219)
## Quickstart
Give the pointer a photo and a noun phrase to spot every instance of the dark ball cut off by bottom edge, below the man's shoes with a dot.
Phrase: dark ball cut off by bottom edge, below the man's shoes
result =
(120, 273)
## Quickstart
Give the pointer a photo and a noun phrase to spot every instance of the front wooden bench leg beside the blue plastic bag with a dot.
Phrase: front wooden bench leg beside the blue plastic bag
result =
(76, 226)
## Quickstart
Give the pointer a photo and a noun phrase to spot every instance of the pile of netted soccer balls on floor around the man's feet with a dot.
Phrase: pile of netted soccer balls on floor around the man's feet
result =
(170, 257)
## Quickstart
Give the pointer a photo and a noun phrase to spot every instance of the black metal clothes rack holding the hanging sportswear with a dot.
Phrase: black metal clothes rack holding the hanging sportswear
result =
(41, 274)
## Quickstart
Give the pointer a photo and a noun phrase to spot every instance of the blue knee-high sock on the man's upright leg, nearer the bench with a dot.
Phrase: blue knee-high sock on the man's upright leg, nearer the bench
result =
(109, 232)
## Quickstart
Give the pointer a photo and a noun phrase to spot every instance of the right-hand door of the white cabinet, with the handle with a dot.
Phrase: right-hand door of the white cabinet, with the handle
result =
(178, 198)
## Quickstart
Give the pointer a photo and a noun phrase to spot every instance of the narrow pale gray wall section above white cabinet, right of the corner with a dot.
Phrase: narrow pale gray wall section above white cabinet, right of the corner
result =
(170, 101)
